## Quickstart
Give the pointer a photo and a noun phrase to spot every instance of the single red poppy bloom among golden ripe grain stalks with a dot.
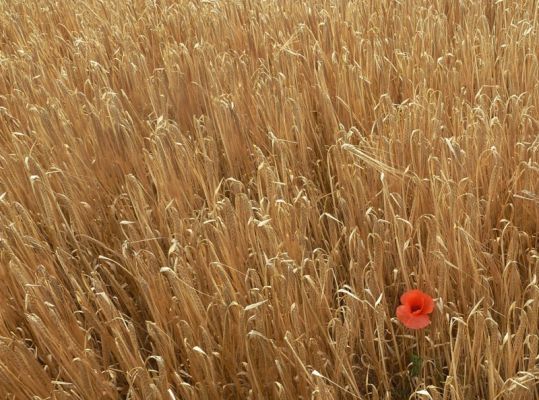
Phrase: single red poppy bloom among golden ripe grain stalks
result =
(415, 309)
